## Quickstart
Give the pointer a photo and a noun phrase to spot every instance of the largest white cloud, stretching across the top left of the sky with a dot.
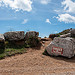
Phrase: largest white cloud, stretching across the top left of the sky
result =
(17, 5)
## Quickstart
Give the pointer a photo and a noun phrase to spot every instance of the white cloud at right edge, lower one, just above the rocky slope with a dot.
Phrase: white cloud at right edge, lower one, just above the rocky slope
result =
(67, 18)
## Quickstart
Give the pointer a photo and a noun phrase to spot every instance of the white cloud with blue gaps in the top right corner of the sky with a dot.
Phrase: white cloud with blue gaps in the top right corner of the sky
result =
(69, 6)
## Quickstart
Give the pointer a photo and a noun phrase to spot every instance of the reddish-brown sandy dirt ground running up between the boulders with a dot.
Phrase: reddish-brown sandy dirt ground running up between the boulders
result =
(34, 63)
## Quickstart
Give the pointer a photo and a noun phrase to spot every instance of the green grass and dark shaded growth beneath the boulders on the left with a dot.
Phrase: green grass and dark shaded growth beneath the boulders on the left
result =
(13, 47)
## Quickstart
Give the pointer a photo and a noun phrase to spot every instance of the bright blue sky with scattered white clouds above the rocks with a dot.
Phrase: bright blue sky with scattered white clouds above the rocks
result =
(44, 16)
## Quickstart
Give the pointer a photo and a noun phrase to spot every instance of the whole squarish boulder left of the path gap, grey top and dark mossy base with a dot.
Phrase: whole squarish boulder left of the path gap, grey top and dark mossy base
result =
(31, 38)
